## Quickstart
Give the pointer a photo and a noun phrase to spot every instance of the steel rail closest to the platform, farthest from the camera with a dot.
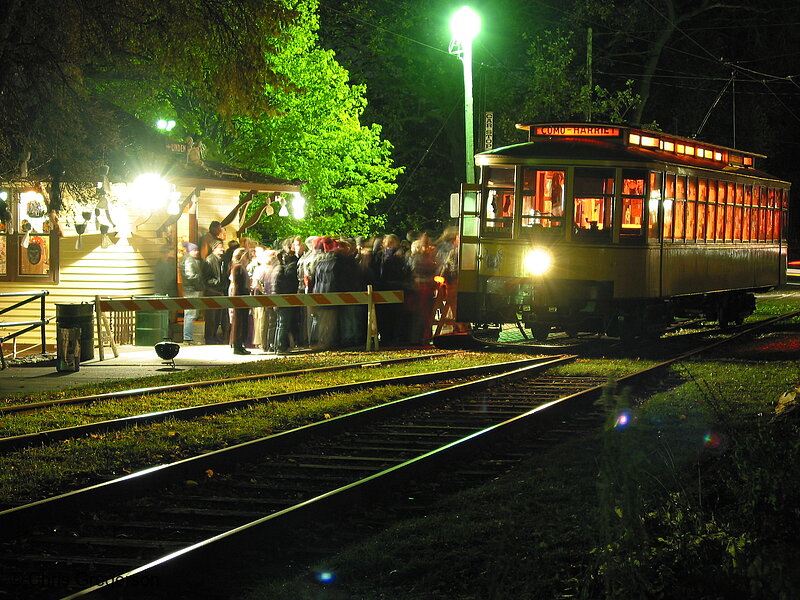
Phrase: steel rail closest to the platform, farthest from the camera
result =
(178, 387)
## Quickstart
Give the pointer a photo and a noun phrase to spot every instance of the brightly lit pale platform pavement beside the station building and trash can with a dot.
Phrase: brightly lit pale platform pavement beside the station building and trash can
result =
(133, 361)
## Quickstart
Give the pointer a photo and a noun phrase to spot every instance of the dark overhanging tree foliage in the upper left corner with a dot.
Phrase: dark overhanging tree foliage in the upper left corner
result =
(62, 65)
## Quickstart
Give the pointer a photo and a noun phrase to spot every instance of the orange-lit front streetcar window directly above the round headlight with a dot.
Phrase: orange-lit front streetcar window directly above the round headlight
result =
(542, 199)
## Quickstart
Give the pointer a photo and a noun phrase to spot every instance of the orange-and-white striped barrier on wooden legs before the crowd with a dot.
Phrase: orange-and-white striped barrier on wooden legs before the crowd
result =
(369, 298)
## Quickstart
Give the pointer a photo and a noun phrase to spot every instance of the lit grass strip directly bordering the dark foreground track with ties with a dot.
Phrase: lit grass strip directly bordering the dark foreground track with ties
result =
(48, 470)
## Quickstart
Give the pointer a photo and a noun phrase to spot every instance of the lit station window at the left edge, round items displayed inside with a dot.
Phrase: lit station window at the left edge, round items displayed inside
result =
(28, 251)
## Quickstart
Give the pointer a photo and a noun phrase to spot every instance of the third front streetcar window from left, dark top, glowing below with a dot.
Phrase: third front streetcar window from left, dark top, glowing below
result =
(593, 196)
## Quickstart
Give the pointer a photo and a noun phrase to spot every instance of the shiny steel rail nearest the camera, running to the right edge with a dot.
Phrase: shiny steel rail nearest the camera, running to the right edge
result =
(269, 528)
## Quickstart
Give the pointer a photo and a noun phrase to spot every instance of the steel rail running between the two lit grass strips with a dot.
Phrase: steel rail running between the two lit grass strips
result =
(16, 442)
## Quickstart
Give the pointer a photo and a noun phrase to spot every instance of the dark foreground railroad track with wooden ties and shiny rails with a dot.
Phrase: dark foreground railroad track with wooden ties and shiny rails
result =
(191, 514)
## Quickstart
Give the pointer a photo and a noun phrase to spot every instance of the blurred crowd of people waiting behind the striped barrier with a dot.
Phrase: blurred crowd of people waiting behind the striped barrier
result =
(415, 265)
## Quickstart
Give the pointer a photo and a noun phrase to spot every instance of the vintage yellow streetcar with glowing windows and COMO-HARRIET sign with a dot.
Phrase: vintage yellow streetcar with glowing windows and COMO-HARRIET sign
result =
(618, 231)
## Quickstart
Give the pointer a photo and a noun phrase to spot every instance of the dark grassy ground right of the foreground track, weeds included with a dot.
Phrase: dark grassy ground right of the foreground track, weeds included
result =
(689, 501)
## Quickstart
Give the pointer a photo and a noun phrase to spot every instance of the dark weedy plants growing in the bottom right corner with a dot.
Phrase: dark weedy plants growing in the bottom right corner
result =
(698, 517)
